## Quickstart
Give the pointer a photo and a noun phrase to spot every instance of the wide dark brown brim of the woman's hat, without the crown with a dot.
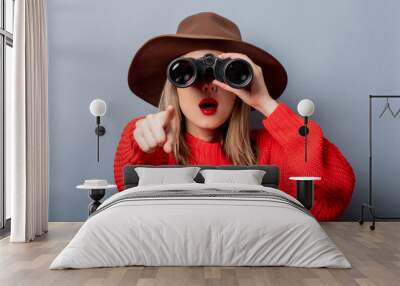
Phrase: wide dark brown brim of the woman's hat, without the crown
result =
(147, 72)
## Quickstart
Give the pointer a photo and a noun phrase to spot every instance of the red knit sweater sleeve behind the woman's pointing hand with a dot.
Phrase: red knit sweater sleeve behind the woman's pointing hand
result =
(129, 152)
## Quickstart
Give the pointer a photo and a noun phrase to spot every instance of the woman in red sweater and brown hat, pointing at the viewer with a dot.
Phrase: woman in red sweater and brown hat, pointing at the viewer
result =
(208, 123)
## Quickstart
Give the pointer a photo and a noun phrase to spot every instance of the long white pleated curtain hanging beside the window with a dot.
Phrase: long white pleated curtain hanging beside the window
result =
(27, 123)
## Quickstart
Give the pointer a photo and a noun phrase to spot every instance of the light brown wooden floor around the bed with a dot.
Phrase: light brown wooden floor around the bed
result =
(374, 255)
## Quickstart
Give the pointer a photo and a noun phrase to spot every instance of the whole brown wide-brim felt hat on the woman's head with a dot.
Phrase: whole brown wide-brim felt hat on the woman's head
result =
(148, 70)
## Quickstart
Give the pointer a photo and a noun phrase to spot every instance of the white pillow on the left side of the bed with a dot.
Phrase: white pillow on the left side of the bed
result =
(162, 176)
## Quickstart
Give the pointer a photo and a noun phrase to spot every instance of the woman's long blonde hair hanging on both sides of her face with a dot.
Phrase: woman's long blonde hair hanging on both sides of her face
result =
(235, 132)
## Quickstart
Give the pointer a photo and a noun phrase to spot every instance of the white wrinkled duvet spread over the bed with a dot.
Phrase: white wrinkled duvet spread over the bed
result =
(190, 230)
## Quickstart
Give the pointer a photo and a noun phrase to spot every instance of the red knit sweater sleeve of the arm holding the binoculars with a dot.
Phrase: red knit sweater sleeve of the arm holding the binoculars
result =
(333, 192)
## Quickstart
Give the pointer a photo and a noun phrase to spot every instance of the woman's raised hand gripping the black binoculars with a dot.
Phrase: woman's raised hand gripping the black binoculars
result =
(258, 96)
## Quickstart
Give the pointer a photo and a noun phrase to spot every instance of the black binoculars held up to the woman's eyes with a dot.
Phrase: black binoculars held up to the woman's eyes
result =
(184, 71)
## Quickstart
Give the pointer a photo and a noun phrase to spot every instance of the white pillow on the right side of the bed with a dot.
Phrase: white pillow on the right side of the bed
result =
(249, 177)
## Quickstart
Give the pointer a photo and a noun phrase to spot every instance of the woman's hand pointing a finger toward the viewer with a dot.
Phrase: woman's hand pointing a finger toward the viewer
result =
(155, 130)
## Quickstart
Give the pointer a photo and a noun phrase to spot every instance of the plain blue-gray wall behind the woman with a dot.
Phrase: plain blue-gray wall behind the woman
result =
(335, 52)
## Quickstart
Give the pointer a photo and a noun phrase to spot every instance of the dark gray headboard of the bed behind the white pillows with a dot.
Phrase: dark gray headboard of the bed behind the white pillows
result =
(270, 179)
